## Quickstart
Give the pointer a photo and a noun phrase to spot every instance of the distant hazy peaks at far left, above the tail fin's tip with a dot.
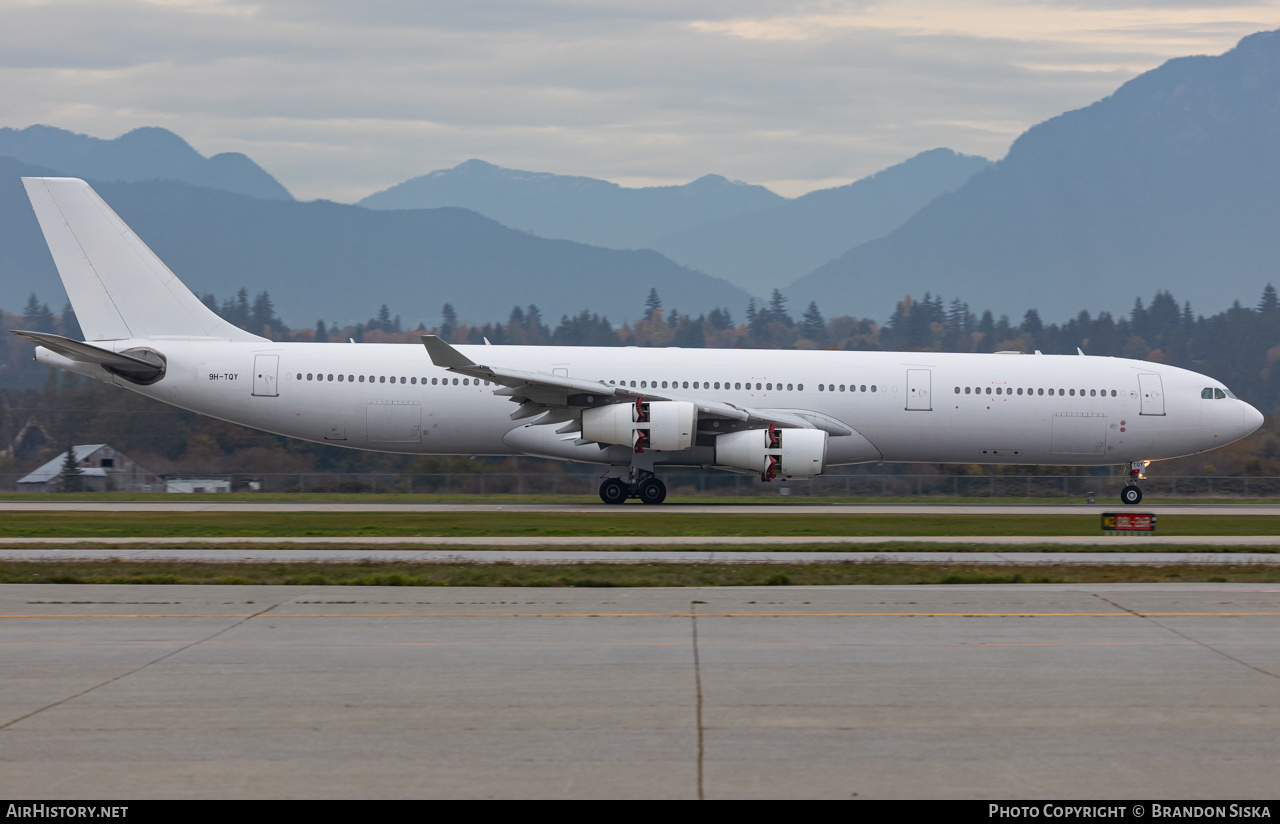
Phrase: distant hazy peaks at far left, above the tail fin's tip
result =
(148, 154)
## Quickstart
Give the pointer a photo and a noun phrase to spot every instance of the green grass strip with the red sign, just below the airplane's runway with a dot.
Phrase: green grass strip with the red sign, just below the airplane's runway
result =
(619, 523)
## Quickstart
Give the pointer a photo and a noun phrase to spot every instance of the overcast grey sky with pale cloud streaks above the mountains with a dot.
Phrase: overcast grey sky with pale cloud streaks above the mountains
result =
(340, 99)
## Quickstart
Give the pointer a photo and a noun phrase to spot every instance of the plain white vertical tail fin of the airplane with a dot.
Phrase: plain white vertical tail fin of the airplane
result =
(117, 286)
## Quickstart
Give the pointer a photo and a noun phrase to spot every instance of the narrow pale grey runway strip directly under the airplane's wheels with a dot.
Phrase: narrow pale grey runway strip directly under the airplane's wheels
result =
(775, 509)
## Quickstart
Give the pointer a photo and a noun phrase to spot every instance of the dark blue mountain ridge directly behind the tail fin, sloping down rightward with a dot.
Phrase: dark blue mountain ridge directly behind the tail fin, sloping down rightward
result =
(342, 263)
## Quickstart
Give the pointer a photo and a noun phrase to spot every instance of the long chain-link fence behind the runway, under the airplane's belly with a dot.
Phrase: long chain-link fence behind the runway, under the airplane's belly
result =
(692, 483)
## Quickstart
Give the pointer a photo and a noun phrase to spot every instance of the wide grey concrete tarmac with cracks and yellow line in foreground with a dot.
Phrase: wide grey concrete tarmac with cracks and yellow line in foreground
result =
(953, 692)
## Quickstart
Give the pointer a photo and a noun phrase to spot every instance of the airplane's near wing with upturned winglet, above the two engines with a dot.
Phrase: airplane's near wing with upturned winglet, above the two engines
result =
(541, 393)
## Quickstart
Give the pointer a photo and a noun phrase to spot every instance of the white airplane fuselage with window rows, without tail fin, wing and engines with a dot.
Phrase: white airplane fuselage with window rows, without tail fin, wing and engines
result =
(912, 408)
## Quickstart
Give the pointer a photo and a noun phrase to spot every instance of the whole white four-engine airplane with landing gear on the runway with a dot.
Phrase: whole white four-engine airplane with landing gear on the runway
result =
(770, 414)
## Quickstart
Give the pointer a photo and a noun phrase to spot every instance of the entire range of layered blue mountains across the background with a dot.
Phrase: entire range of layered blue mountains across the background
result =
(1172, 184)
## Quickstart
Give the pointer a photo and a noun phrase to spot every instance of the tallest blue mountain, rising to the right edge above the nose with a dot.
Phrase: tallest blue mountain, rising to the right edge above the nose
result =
(1171, 184)
